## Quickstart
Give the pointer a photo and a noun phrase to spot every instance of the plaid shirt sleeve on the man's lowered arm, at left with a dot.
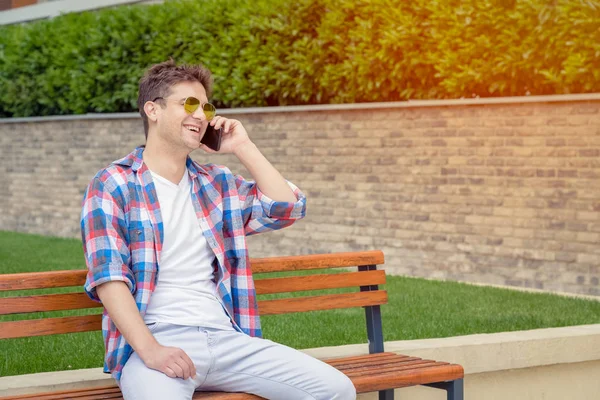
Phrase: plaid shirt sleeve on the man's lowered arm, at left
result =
(104, 236)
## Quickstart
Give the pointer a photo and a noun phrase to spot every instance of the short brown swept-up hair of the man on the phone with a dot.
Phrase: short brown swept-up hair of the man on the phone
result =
(160, 78)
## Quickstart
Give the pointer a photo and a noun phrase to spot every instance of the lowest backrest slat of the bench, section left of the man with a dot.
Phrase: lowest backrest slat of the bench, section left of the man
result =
(50, 326)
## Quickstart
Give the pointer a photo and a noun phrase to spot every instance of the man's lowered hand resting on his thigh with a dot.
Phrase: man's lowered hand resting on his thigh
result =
(171, 361)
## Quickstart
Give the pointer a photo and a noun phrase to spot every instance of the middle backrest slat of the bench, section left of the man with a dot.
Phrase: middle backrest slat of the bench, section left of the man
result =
(48, 302)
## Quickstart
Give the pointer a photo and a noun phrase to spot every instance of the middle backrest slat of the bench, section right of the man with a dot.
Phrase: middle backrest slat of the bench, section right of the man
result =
(318, 282)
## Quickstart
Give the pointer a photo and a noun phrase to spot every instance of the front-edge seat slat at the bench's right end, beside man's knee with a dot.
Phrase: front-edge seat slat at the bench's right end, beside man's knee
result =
(412, 377)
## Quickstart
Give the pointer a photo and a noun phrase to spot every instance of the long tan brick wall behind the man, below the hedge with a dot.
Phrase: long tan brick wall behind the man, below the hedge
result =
(465, 190)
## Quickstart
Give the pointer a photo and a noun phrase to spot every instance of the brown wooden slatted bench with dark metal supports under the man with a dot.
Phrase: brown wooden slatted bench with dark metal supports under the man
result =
(377, 371)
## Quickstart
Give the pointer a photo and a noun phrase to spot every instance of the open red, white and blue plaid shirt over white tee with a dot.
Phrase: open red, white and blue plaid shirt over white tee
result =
(122, 233)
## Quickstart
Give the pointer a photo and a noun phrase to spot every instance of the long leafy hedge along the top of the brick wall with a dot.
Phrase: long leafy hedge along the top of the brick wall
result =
(281, 52)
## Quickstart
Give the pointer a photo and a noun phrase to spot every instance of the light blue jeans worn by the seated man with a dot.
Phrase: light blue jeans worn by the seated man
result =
(231, 361)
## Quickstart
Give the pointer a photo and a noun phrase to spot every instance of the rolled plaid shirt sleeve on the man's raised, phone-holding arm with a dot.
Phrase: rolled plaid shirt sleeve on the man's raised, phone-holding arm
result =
(261, 213)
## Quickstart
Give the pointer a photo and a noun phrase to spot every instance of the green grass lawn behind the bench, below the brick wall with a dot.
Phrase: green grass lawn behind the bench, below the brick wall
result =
(417, 309)
